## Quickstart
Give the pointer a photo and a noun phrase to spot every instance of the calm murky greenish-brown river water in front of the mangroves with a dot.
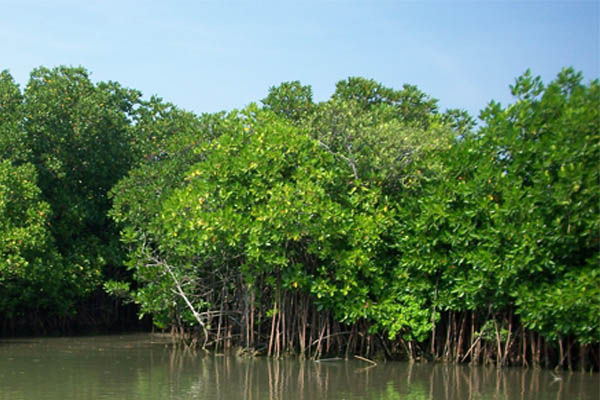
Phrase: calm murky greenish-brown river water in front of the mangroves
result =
(146, 366)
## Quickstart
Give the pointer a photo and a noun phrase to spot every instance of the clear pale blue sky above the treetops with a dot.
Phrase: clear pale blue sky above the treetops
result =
(206, 56)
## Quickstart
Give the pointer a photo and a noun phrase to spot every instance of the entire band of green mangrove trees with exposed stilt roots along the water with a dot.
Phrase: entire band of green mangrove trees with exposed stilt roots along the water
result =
(371, 223)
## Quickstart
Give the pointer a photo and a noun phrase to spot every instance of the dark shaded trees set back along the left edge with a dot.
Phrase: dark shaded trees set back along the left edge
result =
(64, 142)
